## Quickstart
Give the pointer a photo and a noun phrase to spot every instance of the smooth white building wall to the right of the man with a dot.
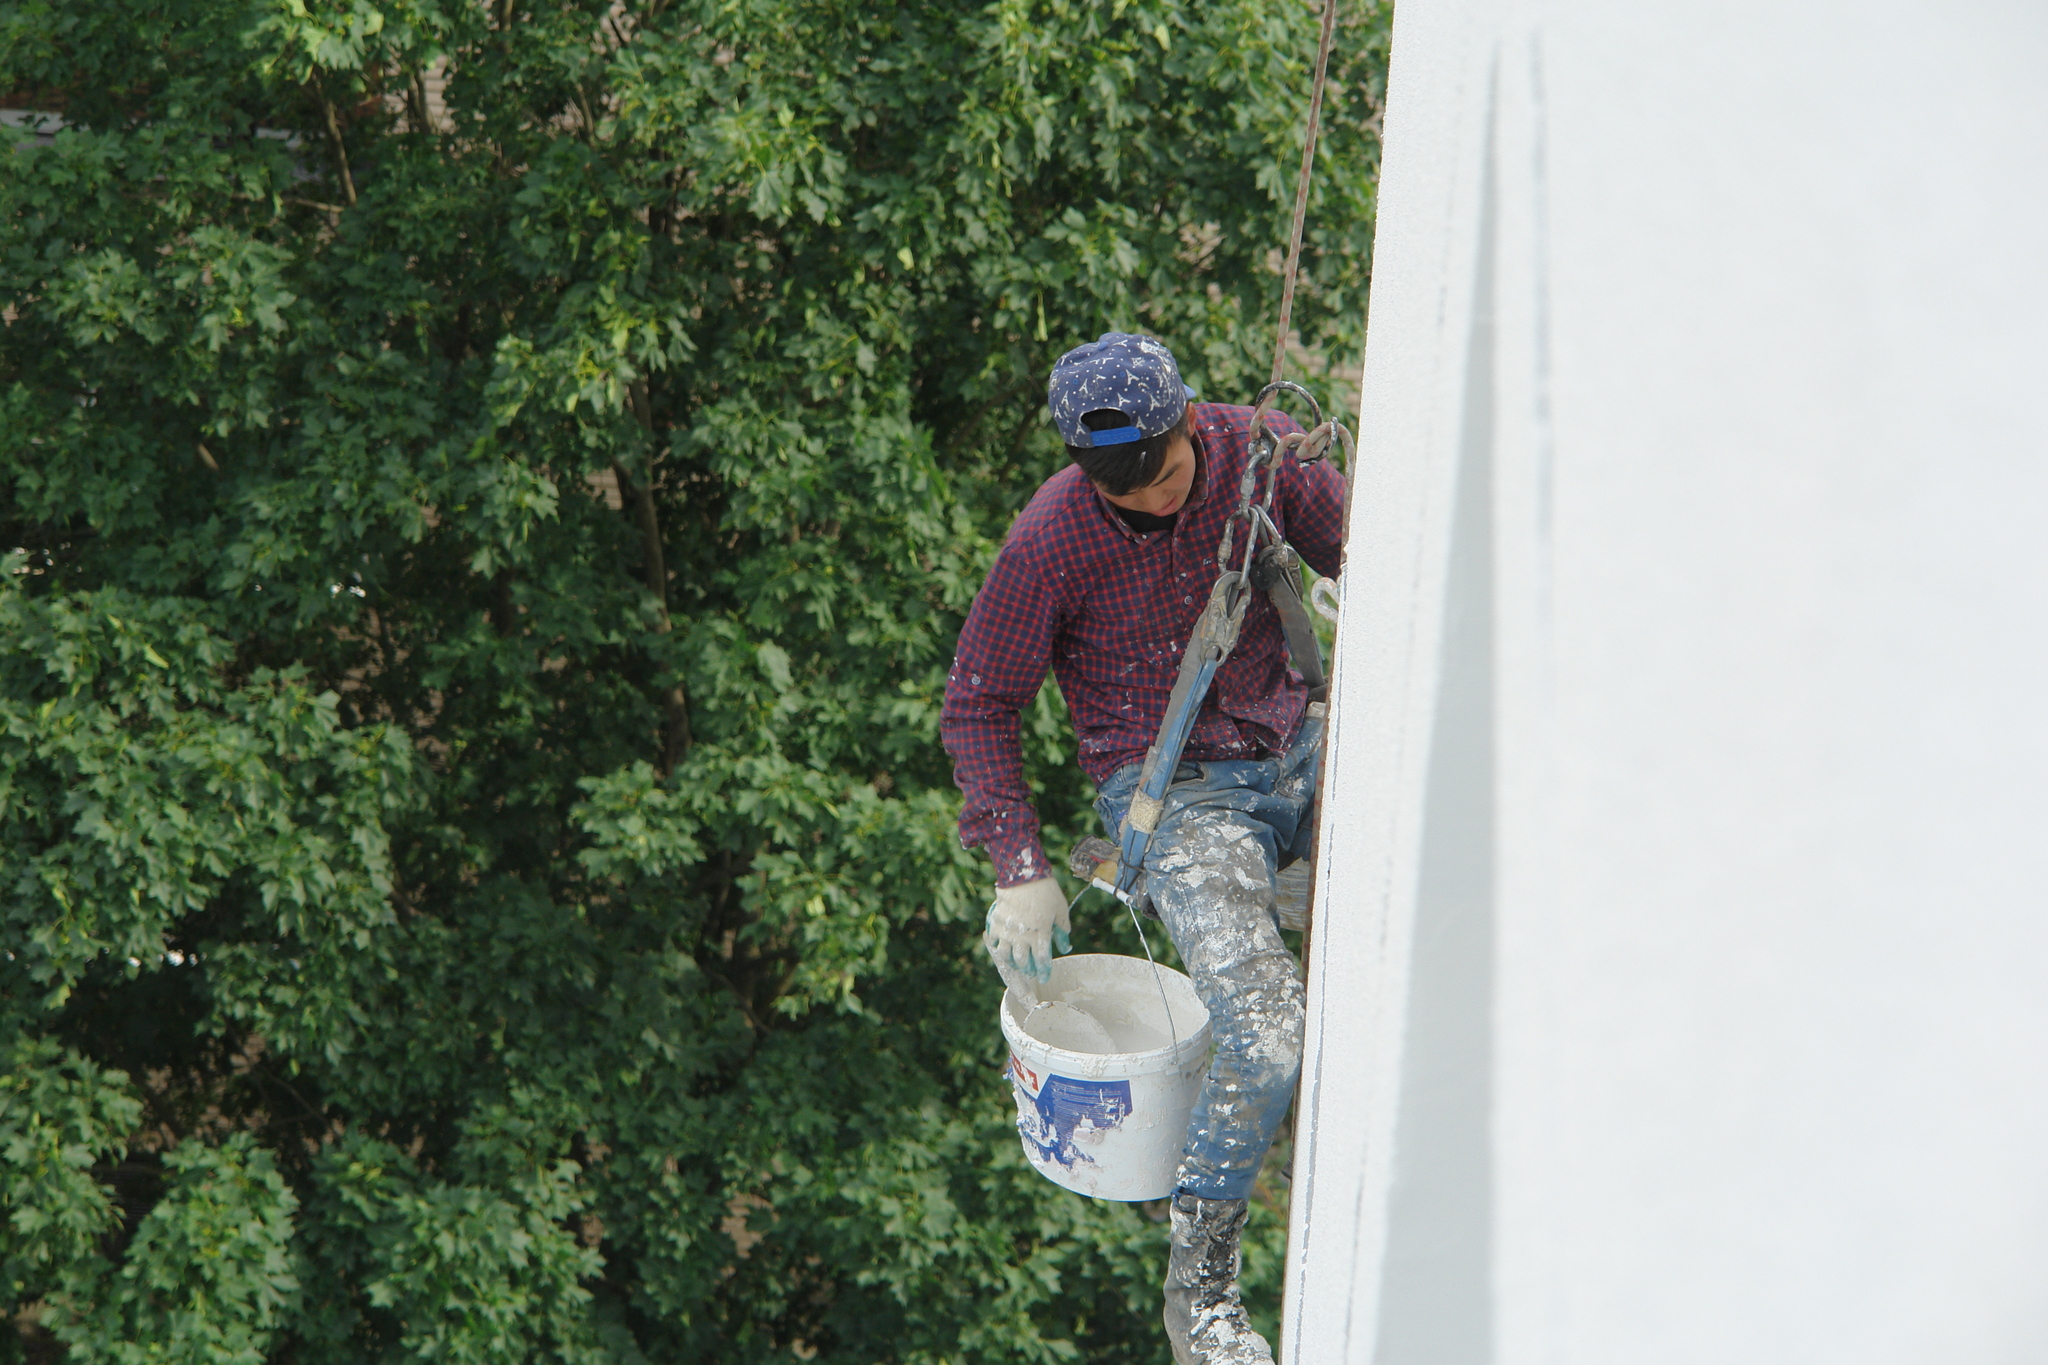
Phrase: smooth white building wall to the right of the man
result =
(1680, 985)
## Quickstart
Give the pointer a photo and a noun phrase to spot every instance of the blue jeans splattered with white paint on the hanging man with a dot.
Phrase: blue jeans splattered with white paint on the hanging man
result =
(1211, 873)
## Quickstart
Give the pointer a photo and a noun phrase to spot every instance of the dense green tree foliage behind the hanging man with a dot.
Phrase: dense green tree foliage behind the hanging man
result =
(486, 496)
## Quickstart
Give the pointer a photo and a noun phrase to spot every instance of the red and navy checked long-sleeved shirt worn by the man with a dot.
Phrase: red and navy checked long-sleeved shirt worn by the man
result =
(1111, 611)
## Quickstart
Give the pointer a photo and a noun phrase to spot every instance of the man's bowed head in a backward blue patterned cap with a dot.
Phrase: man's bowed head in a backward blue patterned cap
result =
(1123, 412)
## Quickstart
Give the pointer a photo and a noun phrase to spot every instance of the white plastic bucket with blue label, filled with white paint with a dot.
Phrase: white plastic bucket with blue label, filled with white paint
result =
(1095, 1120)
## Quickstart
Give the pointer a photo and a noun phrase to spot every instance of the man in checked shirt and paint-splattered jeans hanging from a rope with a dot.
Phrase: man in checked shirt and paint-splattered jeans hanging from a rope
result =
(1101, 580)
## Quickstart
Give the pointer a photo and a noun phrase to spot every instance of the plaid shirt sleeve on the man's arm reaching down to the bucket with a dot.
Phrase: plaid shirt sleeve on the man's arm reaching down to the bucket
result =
(1005, 654)
